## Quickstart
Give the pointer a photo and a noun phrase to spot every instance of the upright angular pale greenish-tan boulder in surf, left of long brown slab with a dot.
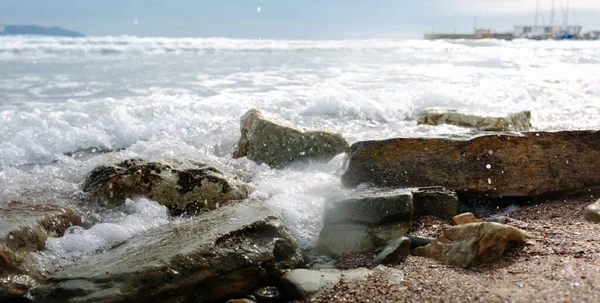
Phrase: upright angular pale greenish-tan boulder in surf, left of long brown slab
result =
(267, 138)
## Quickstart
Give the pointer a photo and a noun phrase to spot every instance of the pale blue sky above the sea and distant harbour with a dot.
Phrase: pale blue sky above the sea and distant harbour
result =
(291, 19)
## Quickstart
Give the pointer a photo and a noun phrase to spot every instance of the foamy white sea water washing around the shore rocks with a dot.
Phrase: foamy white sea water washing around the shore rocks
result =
(68, 105)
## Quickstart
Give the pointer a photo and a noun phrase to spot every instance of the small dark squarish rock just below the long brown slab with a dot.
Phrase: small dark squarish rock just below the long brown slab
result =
(435, 201)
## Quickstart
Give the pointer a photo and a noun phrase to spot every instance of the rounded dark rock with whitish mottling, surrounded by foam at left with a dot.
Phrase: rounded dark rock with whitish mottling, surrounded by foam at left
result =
(180, 185)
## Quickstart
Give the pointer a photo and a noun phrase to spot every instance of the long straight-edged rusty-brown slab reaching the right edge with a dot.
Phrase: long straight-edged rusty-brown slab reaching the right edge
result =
(491, 166)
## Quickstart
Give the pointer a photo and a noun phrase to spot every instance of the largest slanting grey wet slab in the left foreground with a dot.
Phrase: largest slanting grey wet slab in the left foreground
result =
(222, 254)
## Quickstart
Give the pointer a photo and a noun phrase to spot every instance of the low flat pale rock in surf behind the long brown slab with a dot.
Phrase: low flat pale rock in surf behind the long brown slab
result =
(519, 121)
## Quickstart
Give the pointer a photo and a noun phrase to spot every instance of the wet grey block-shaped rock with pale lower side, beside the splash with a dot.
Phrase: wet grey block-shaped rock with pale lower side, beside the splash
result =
(365, 219)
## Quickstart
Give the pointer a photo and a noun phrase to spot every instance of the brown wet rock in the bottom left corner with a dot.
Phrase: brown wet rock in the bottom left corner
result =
(24, 229)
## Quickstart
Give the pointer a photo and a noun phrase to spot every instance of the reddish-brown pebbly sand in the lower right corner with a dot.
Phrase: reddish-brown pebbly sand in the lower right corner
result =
(559, 263)
